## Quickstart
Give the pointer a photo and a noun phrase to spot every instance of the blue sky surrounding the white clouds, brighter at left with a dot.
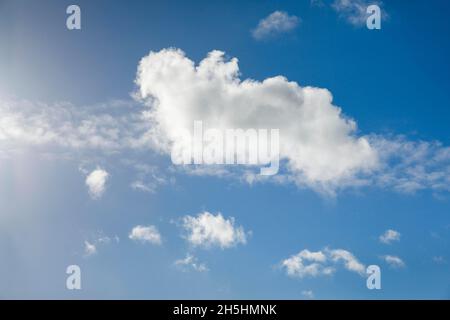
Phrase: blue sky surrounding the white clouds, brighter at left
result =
(392, 82)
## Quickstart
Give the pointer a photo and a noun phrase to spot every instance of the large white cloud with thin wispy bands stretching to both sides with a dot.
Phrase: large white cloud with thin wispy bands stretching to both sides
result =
(320, 148)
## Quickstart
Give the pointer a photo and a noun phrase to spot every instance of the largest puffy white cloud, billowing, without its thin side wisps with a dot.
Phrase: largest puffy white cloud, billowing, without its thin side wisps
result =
(316, 139)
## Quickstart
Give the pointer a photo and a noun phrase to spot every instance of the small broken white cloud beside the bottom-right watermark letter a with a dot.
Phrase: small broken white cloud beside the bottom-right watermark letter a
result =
(312, 264)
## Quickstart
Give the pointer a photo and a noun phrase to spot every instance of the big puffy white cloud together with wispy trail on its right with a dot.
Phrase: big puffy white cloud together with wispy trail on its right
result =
(319, 147)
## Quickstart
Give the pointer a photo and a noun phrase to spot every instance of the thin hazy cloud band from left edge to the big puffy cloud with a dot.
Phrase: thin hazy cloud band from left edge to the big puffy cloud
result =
(107, 127)
